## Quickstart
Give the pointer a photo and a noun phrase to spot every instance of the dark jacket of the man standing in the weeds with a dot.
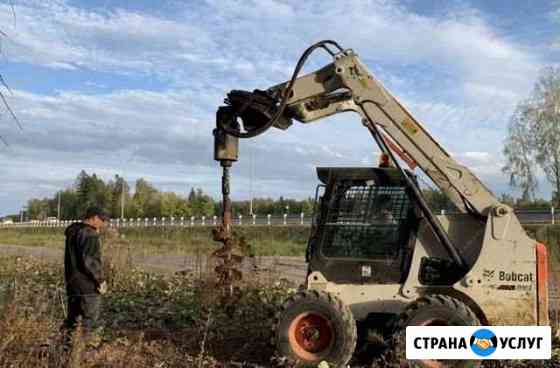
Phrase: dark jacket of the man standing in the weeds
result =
(82, 259)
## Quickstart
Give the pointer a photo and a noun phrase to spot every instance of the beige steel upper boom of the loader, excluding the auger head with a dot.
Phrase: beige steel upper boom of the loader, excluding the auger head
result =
(347, 85)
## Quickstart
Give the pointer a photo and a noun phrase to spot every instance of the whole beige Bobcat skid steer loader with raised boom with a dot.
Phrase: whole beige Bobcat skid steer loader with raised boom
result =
(377, 255)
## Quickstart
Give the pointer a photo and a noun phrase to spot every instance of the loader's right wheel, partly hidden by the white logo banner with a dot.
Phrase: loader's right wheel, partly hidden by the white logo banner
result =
(432, 310)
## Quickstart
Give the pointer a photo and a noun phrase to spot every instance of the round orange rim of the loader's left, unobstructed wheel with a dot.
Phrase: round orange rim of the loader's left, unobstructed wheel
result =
(311, 335)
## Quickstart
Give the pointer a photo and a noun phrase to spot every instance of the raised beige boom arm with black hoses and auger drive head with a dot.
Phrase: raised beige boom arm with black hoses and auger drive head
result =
(347, 85)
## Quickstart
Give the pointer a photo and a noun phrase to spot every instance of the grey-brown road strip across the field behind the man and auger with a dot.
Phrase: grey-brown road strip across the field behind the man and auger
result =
(265, 268)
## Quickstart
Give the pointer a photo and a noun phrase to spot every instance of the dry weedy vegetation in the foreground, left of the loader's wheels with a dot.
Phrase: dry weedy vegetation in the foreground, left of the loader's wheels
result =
(149, 320)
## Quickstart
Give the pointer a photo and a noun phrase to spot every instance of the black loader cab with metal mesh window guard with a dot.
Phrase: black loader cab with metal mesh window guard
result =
(364, 226)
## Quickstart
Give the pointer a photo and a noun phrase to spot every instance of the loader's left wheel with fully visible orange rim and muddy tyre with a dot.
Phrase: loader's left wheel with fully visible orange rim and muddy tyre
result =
(314, 326)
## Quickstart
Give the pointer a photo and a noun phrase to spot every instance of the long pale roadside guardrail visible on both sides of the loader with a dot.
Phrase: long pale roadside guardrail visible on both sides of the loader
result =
(526, 217)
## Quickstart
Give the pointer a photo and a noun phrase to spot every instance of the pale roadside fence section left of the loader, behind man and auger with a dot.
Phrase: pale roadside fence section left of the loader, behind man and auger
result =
(262, 220)
